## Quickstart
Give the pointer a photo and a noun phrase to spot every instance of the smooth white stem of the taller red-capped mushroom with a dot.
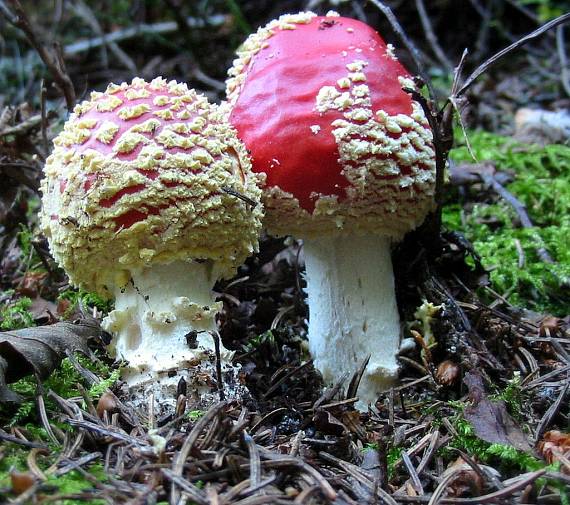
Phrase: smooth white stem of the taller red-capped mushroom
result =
(352, 310)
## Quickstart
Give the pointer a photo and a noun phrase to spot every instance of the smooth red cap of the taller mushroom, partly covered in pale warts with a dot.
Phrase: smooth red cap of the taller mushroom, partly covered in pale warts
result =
(318, 101)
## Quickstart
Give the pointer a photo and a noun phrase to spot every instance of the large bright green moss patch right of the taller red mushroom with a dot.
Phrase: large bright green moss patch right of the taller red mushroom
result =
(542, 184)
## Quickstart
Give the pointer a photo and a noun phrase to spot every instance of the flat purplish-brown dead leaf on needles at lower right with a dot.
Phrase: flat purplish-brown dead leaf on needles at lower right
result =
(490, 420)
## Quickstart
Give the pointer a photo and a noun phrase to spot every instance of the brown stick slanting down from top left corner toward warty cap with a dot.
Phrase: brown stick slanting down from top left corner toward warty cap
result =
(20, 20)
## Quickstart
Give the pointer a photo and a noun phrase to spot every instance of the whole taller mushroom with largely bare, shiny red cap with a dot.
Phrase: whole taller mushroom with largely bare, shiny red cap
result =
(349, 167)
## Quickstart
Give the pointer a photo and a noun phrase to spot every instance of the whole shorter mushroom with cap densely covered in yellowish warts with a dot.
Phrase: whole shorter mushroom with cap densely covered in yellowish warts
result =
(139, 204)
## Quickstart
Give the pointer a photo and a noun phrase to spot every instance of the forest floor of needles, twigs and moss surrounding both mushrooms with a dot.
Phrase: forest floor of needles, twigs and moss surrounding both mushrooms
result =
(480, 412)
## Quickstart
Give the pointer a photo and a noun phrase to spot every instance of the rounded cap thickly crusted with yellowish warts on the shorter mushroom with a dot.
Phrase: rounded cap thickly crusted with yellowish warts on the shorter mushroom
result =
(147, 173)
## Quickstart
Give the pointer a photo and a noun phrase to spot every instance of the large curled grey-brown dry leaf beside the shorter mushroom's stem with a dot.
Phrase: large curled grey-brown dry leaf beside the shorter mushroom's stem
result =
(39, 351)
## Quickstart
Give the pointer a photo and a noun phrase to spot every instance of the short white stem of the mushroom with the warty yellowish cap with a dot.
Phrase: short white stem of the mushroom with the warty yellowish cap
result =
(163, 320)
